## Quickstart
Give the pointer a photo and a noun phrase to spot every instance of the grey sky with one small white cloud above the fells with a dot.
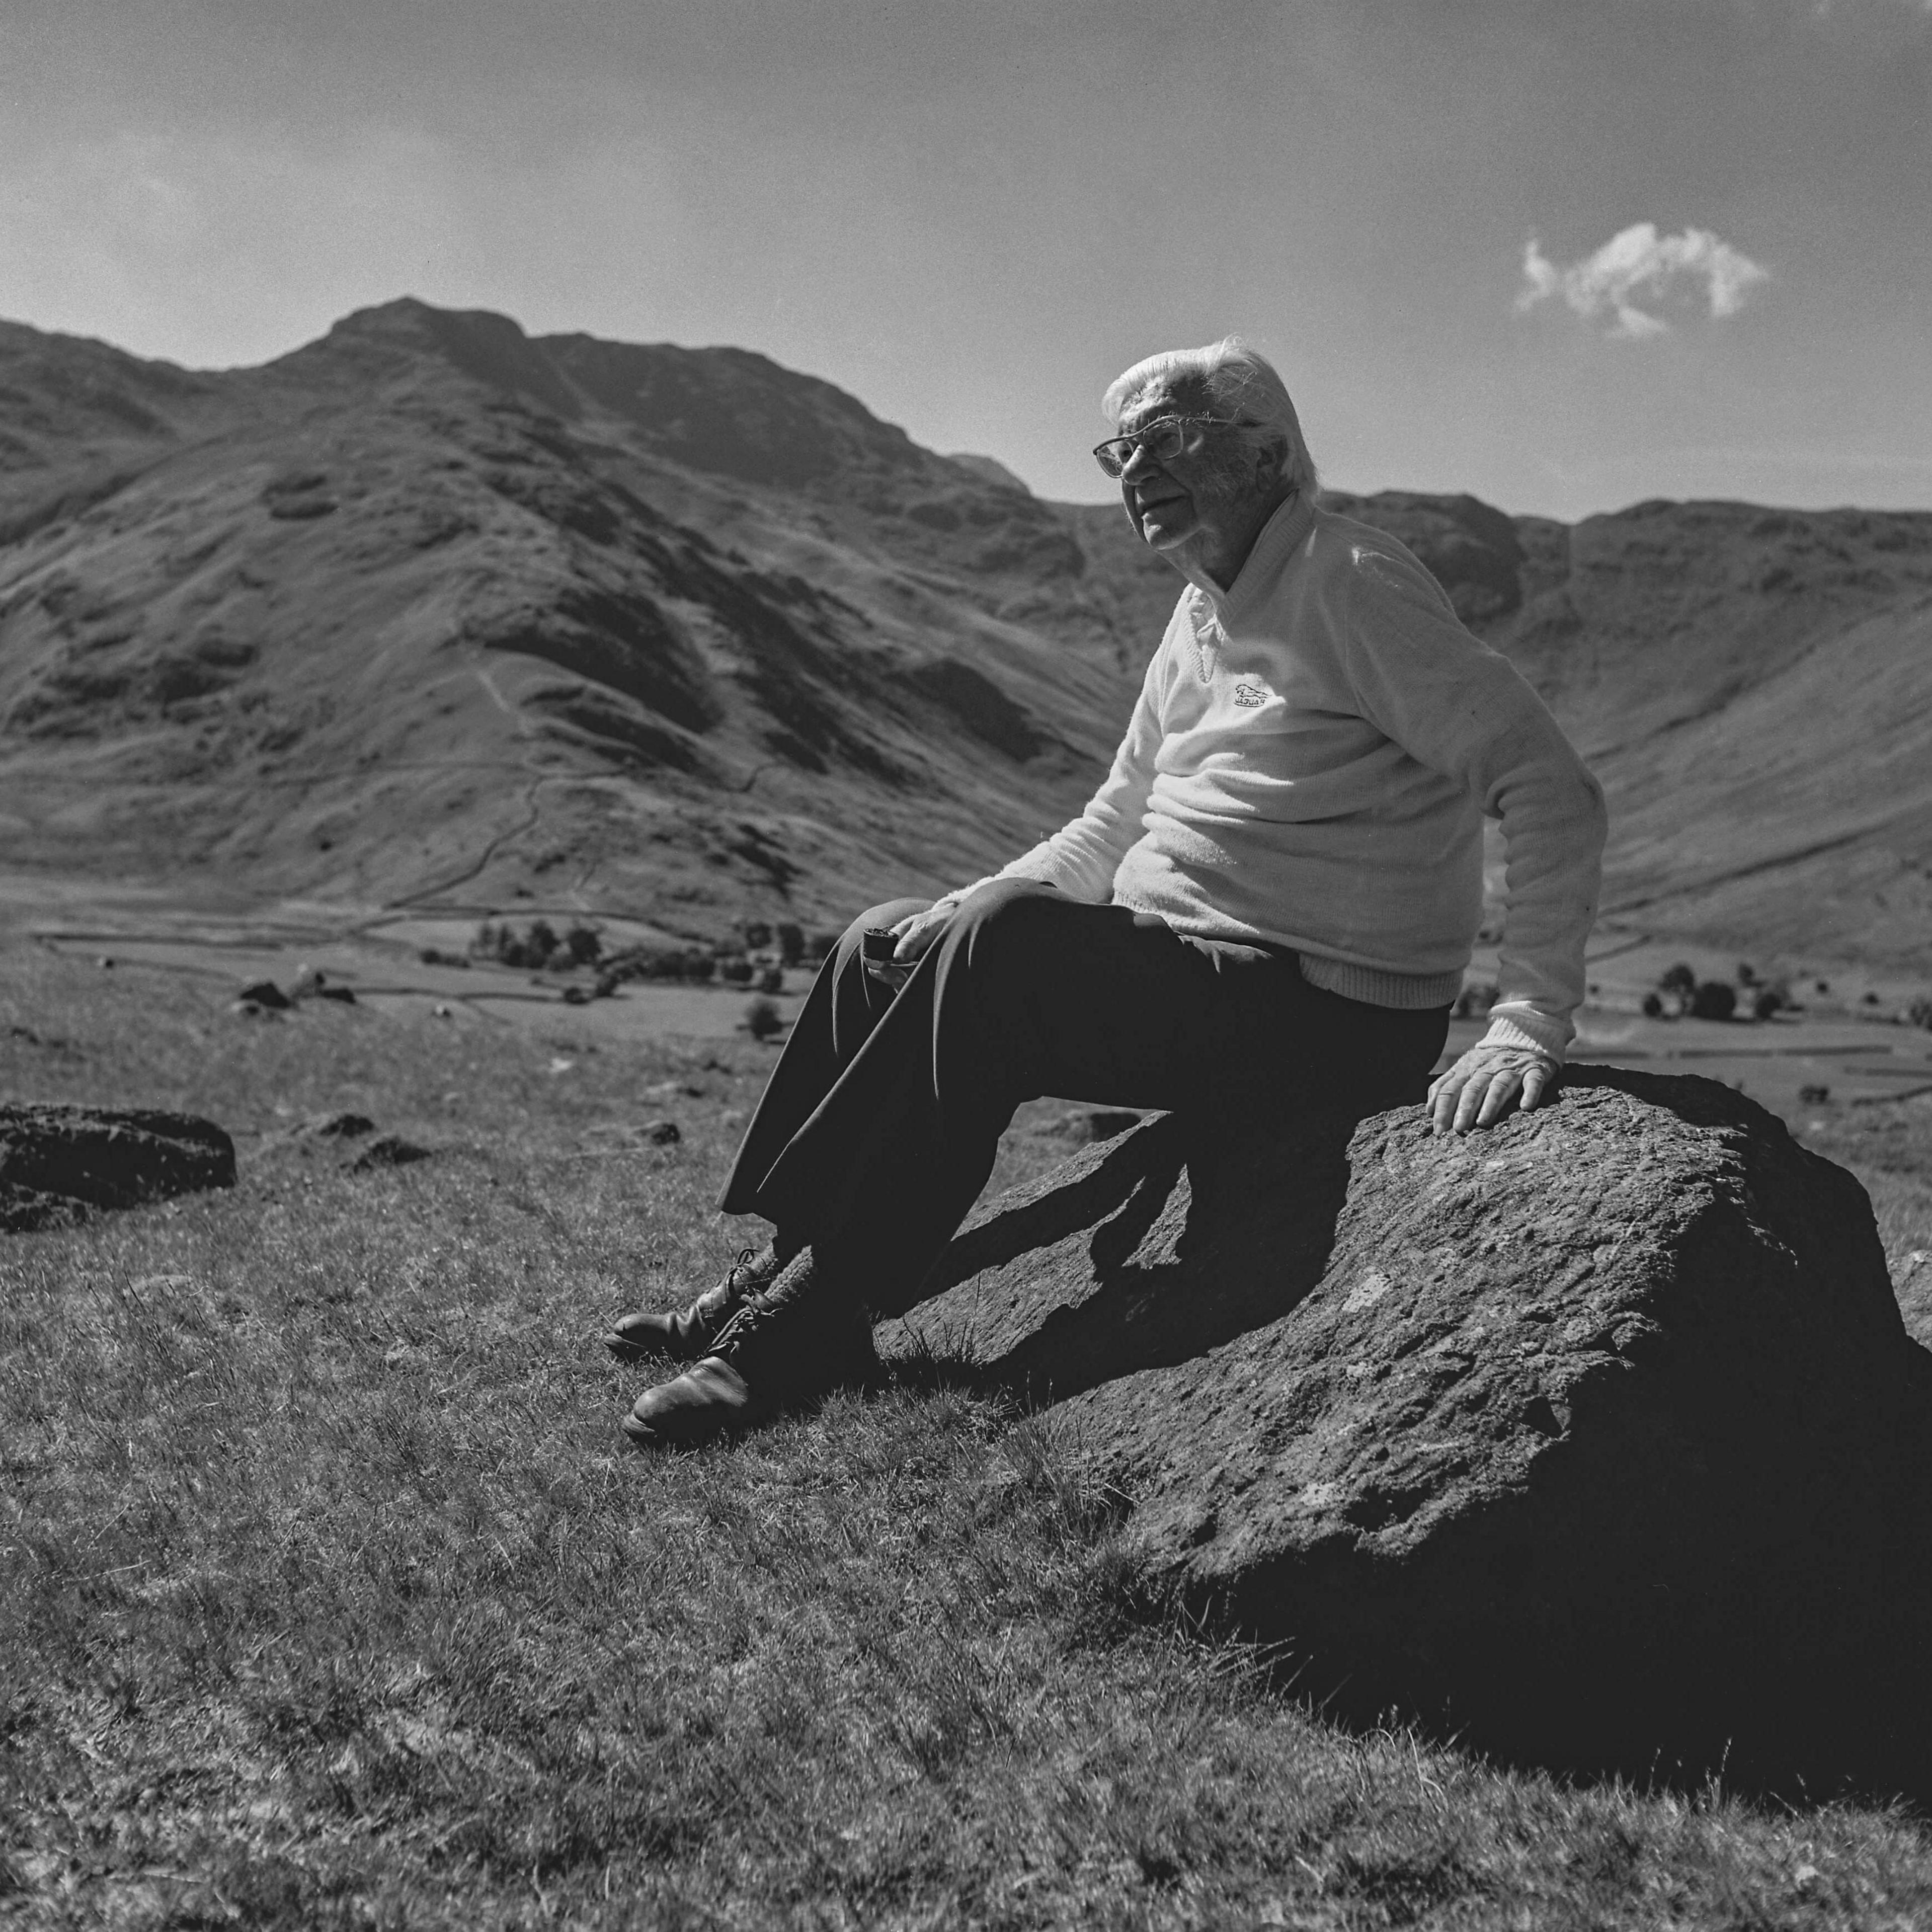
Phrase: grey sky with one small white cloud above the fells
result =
(1560, 254)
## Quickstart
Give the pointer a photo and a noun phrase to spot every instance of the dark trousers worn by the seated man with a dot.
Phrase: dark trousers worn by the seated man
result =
(884, 1116)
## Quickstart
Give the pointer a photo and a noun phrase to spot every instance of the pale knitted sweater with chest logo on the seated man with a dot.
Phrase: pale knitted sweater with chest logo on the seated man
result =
(1311, 762)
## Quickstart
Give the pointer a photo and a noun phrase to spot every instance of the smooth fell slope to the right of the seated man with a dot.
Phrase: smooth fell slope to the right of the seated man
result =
(1755, 691)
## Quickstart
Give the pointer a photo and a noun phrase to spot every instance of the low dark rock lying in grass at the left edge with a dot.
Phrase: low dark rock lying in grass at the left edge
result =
(59, 1162)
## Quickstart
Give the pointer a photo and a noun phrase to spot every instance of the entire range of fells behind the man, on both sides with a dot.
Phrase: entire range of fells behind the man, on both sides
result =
(438, 611)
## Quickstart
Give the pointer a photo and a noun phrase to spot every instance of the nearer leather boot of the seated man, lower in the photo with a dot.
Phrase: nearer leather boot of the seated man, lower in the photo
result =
(776, 1350)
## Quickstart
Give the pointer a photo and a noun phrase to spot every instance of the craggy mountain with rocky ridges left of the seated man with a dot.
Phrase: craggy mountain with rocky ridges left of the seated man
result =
(430, 608)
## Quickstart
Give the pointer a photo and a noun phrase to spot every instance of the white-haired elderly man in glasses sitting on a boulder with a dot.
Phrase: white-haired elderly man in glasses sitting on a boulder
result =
(1268, 905)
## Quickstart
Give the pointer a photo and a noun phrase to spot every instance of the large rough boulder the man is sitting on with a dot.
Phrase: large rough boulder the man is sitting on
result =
(1589, 1431)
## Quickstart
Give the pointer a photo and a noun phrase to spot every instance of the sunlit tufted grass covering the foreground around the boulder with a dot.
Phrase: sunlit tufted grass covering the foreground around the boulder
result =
(329, 1593)
